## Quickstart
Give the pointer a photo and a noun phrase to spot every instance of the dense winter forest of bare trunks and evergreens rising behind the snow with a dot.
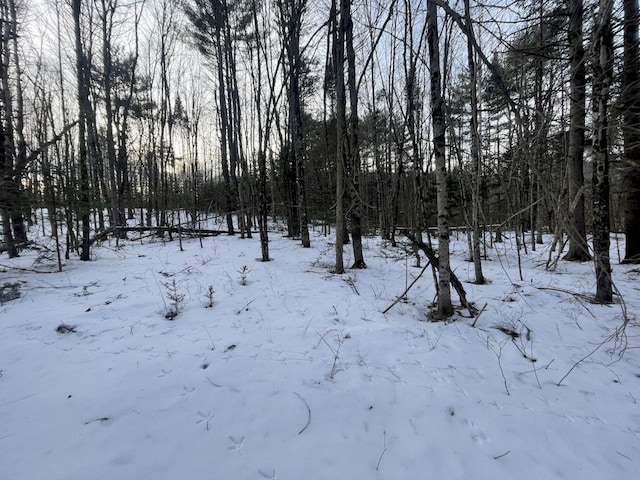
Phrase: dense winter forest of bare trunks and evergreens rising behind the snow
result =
(399, 118)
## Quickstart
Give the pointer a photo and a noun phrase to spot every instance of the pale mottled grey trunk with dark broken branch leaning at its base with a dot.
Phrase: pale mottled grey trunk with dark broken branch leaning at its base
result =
(445, 308)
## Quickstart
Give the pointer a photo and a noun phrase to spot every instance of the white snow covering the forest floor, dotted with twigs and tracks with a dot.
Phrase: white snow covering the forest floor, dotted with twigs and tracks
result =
(251, 388)
